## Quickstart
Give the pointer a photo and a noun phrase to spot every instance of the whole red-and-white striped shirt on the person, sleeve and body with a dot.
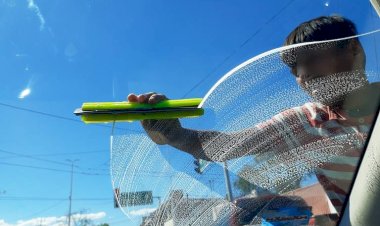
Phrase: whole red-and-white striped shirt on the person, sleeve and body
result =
(311, 135)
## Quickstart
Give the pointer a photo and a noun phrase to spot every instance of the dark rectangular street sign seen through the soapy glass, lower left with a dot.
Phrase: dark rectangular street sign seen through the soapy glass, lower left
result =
(122, 199)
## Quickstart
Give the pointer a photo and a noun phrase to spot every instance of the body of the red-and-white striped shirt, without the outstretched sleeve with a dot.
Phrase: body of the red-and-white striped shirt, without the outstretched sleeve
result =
(336, 174)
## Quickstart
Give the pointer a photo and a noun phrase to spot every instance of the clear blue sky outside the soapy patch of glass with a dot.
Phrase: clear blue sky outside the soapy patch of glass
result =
(68, 52)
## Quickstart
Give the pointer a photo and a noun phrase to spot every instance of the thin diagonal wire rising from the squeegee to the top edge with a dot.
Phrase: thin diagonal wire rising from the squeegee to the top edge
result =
(241, 45)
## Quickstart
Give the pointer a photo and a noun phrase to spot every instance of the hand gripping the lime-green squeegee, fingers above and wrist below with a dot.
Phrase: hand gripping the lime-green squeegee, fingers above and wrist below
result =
(160, 131)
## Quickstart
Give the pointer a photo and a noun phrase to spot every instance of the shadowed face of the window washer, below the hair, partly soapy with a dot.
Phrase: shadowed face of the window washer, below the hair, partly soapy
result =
(329, 74)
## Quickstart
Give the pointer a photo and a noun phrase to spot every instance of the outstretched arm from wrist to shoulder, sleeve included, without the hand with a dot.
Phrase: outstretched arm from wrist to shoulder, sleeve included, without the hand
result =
(274, 134)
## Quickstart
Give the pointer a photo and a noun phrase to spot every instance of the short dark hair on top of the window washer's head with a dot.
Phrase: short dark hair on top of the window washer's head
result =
(318, 29)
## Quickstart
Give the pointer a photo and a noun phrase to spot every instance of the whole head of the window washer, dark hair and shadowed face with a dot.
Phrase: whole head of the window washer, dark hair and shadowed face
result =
(340, 63)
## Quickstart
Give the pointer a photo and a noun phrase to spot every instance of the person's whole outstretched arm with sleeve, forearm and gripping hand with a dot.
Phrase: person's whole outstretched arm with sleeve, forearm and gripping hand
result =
(277, 133)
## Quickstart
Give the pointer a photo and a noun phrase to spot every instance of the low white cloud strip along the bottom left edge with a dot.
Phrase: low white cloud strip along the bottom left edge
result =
(54, 221)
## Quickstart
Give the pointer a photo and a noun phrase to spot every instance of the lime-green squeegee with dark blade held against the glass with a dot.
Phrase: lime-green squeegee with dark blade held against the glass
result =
(105, 112)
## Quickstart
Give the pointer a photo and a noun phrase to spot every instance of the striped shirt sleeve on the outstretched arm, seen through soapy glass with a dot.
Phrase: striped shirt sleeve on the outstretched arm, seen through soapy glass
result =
(284, 131)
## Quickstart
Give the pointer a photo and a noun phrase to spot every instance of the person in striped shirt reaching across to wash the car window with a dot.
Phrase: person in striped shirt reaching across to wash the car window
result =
(340, 116)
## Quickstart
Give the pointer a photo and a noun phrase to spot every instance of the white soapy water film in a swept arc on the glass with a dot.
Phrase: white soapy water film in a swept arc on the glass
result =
(251, 93)
